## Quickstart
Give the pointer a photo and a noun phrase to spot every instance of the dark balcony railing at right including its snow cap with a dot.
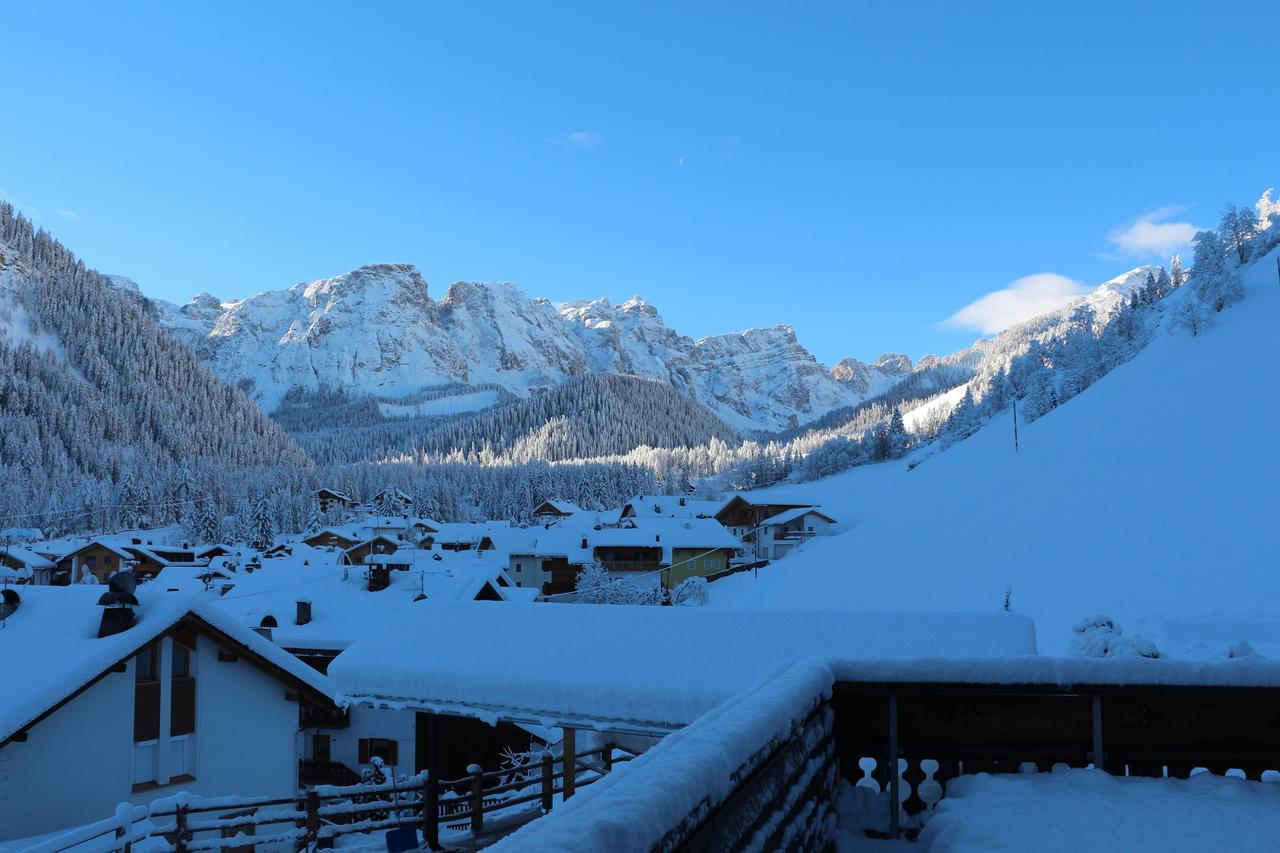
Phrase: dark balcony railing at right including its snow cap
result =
(908, 728)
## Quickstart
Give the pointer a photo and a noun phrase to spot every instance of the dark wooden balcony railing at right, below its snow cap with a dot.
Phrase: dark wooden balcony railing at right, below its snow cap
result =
(912, 738)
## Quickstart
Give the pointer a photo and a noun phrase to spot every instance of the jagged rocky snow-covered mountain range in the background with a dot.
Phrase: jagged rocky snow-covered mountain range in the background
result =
(378, 331)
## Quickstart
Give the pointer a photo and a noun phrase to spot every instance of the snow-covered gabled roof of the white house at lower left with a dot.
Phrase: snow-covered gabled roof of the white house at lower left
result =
(51, 646)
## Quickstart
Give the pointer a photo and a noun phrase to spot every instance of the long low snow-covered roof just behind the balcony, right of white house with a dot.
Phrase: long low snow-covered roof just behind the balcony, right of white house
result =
(652, 667)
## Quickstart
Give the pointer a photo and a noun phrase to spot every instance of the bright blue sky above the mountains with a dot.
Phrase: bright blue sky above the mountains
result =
(863, 172)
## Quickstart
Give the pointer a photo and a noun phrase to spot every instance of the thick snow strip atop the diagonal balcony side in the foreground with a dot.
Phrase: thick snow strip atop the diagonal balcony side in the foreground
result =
(634, 806)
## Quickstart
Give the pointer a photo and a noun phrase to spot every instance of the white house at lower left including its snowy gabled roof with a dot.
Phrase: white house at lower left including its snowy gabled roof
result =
(109, 705)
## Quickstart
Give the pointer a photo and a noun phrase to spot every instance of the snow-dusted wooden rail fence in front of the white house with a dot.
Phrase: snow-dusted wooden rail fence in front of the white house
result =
(478, 805)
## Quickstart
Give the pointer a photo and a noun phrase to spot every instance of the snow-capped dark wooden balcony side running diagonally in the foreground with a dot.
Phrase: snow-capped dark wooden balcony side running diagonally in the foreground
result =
(756, 773)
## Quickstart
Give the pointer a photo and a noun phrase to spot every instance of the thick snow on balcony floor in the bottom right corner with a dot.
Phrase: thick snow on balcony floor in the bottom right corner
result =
(1089, 810)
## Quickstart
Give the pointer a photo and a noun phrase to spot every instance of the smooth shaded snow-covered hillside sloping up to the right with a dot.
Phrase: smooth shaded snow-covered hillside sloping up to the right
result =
(1145, 498)
